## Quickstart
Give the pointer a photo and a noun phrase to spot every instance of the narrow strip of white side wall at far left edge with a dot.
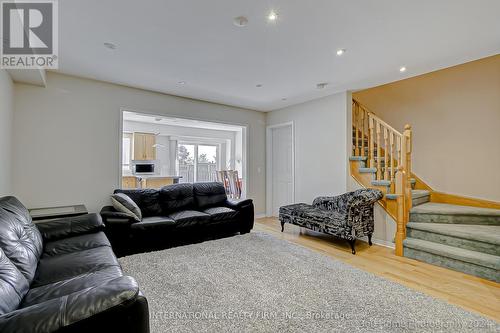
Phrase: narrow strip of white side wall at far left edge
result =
(6, 121)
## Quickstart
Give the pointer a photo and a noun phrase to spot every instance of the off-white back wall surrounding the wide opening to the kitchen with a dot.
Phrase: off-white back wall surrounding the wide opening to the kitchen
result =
(66, 138)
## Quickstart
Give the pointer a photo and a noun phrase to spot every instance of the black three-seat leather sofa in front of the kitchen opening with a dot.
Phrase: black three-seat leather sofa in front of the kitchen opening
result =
(178, 212)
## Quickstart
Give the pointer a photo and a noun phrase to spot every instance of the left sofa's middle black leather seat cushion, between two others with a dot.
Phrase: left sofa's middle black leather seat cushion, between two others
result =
(65, 266)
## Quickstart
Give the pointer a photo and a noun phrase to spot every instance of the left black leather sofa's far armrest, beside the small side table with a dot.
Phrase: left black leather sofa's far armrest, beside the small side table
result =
(70, 226)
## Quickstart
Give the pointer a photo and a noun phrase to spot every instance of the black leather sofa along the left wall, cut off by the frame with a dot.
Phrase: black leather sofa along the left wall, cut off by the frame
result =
(62, 276)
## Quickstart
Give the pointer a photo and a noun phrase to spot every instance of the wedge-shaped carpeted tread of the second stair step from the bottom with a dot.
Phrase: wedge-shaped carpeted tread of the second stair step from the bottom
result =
(482, 233)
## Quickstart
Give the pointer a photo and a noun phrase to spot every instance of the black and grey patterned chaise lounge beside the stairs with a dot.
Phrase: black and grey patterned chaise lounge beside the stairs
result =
(348, 216)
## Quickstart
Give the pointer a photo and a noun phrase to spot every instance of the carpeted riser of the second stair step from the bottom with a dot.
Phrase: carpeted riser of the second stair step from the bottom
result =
(454, 241)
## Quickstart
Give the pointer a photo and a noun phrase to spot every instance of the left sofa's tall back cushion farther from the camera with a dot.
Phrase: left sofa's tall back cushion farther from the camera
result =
(20, 239)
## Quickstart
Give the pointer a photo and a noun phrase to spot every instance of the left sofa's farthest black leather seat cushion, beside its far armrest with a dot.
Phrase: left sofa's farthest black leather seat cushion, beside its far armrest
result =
(75, 244)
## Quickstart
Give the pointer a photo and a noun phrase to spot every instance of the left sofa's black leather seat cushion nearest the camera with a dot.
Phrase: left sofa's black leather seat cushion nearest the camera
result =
(66, 287)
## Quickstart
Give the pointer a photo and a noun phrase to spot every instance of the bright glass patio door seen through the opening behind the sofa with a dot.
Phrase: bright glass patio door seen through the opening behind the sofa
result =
(197, 162)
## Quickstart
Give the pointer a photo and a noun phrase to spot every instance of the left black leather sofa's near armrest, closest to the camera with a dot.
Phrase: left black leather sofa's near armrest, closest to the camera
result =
(77, 310)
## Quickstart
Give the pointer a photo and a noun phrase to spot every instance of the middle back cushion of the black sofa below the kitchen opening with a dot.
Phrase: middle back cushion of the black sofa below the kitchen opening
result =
(177, 197)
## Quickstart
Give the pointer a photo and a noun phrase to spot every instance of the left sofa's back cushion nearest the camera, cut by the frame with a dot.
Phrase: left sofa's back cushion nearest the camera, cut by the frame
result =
(13, 285)
